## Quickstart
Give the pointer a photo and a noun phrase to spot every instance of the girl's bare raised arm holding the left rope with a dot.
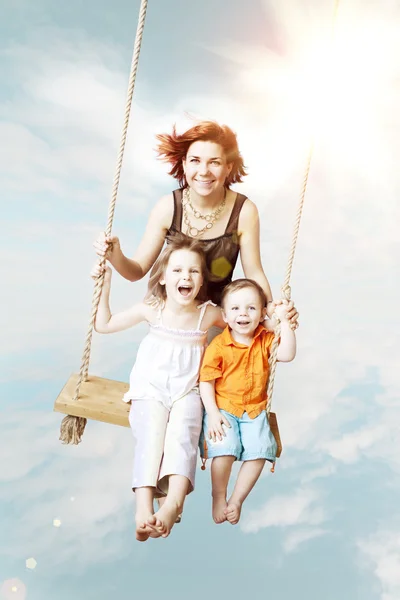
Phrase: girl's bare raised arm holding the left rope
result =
(108, 323)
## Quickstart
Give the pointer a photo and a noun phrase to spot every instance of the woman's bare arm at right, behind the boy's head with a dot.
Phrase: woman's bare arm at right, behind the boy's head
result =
(249, 242)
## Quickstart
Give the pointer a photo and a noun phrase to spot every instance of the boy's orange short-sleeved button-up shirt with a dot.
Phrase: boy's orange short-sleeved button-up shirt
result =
(240, 372)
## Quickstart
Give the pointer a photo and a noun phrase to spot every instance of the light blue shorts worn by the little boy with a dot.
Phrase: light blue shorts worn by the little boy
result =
(246, 439)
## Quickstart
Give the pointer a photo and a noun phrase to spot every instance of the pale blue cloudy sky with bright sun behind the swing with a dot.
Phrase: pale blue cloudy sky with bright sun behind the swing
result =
(326, 525)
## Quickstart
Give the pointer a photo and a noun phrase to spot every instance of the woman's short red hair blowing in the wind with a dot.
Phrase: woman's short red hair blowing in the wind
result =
(174, 148)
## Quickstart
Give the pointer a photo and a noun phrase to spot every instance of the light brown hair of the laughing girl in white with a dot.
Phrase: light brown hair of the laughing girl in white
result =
(156, 293)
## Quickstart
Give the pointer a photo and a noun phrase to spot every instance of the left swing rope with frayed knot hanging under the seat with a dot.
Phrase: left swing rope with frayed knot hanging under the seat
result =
(72, 428)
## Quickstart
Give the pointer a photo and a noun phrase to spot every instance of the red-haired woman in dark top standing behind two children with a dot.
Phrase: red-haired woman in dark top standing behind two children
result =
(206, 161)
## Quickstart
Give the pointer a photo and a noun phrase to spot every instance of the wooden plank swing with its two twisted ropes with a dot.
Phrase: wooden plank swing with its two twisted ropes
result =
(90, 397)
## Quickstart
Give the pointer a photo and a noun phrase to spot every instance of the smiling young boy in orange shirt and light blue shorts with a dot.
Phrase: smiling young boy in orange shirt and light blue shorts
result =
(233, 381)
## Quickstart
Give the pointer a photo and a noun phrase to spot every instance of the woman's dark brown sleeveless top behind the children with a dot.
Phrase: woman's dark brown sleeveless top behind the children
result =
(221, 252)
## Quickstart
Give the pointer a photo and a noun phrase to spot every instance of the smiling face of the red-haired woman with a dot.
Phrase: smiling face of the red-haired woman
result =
(206, 168)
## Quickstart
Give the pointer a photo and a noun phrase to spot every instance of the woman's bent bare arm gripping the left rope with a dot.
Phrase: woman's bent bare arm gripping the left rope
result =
(149, 248)
